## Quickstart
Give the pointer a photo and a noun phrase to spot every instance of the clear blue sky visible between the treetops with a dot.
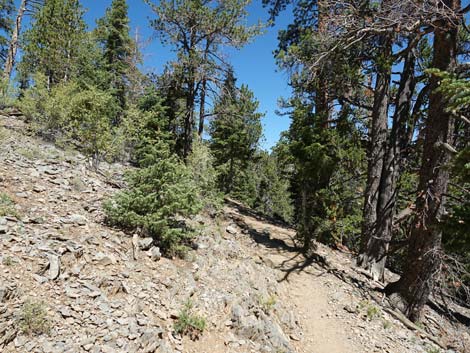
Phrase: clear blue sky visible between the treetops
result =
(254, 65)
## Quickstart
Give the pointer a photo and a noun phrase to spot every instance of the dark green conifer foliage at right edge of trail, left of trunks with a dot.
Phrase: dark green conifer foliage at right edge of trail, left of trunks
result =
(326, 182)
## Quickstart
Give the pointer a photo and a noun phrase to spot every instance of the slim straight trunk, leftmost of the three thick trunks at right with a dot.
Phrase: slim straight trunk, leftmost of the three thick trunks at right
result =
(376, 153)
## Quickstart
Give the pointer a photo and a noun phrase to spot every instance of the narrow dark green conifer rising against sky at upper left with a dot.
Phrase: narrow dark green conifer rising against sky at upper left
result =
(113, 34)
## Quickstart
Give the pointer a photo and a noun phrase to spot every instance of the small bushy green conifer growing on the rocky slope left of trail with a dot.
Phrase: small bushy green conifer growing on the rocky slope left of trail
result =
(160, 194)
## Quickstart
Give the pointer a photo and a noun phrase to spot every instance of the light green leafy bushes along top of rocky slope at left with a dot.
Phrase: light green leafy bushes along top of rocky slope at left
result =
(75, 115)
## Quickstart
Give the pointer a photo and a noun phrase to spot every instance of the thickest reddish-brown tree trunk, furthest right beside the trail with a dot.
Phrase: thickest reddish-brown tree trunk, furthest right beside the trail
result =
(412, 291)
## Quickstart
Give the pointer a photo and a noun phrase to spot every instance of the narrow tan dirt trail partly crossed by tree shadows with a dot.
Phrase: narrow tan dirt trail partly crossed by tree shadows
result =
(304, 286)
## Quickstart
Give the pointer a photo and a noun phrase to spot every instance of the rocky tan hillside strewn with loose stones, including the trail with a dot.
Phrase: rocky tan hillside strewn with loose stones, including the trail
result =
(69, 283)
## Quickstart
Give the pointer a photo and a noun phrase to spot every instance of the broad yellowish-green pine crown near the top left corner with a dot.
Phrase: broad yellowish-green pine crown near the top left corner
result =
(52, 43)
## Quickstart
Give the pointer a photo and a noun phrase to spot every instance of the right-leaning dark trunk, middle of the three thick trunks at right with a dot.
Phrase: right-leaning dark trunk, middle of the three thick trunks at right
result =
(378, 244)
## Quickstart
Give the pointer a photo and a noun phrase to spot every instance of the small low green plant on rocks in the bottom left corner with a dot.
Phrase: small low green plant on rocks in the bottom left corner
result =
(33, 319)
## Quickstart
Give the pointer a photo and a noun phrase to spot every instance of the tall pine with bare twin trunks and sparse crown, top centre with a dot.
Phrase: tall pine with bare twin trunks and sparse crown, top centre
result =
(198, 31)
